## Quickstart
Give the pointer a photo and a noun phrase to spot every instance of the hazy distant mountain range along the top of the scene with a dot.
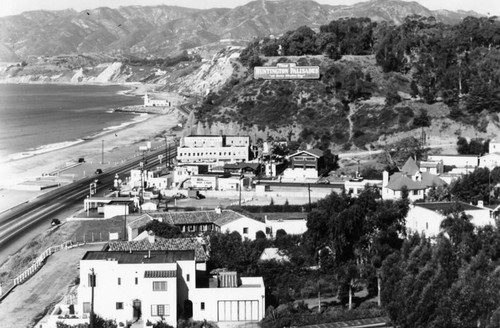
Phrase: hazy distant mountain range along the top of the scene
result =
(164, 30)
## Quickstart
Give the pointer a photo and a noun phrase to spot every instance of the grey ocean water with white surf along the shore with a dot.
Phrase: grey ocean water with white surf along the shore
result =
(37, 118)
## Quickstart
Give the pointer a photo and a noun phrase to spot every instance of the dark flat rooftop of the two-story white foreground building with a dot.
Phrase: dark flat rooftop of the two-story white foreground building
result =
(136, 257)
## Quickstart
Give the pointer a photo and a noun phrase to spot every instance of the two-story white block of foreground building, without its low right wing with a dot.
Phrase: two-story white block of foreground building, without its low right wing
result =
(135, 285)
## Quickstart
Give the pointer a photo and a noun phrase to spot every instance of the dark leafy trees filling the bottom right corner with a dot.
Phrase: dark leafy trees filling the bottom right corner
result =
(453, 282)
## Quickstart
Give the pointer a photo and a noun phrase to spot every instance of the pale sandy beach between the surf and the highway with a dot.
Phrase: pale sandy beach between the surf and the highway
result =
(118, 147)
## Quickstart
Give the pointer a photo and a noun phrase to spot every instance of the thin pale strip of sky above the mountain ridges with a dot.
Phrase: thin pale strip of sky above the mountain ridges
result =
(14, 7)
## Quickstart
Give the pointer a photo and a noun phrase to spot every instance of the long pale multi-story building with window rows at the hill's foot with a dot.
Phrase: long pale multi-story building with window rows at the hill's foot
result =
(213, 150)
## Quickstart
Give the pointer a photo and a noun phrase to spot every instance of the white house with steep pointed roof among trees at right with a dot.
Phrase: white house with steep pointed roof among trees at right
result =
(410, 177)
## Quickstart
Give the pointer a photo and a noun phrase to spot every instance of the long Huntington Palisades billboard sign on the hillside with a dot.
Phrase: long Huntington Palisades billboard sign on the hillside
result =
(286, 71)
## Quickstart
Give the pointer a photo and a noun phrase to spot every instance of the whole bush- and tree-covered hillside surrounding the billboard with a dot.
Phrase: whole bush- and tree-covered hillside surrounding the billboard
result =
(420, 61)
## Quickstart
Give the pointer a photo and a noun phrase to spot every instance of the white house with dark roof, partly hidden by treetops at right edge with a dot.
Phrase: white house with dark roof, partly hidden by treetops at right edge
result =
(426, 218)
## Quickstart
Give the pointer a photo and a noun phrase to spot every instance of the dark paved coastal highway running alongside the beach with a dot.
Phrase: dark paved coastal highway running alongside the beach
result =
(18, 220)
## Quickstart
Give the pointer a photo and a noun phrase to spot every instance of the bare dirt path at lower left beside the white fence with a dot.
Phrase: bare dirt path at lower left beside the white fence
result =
(46, 287)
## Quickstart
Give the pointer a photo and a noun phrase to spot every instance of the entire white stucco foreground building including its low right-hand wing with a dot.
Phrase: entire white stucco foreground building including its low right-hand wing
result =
(151, 281)
